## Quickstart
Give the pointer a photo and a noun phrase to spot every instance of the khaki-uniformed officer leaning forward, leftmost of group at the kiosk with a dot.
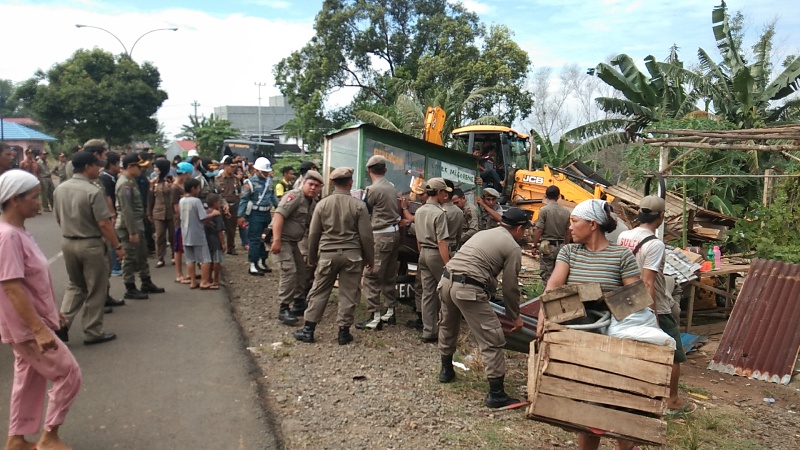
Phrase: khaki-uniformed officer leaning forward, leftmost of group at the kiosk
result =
(289, 225)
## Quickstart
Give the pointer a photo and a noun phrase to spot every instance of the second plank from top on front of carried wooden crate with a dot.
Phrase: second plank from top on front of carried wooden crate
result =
(634, 368)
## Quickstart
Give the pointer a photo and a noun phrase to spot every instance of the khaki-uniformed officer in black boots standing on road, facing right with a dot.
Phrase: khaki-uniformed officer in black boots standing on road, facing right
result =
(130, 229)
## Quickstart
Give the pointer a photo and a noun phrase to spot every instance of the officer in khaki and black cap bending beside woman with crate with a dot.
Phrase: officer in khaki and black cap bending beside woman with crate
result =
(467, 282)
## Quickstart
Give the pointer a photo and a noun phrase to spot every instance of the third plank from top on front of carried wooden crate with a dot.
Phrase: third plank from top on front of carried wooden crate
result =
(605, 379)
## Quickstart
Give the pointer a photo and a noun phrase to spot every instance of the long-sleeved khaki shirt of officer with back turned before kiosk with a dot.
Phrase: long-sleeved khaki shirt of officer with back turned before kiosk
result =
(341, 222)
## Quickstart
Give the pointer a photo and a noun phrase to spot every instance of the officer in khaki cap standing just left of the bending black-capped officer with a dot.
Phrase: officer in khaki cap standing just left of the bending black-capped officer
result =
(430, 223)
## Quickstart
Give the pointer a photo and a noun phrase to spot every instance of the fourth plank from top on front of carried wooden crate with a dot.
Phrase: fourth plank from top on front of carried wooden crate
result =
(574, 390)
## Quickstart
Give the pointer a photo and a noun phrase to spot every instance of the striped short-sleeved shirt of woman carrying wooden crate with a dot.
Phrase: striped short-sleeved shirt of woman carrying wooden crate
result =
(607, 267)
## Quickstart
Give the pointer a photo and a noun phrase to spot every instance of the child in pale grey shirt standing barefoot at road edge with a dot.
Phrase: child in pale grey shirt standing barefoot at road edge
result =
(195, 245)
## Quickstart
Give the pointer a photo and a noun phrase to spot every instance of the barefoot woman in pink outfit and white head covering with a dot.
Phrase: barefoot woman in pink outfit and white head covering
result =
(28, 317)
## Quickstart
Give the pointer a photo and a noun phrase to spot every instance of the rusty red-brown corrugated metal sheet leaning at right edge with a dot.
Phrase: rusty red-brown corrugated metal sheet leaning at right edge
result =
(762, 337)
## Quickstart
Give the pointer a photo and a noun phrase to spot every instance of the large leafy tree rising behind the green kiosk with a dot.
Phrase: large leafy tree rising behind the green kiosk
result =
(423, 50)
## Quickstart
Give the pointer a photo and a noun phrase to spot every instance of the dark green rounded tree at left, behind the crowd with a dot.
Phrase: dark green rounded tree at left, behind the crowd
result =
(94, 94)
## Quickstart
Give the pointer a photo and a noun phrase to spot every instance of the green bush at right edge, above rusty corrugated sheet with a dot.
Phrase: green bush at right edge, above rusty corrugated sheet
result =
(772, 231)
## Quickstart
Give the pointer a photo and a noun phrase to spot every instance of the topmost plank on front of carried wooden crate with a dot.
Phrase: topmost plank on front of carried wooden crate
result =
(623, 347)
